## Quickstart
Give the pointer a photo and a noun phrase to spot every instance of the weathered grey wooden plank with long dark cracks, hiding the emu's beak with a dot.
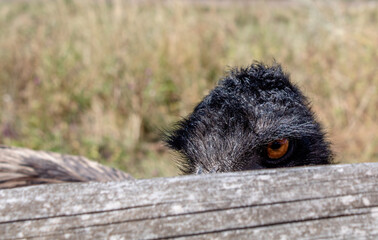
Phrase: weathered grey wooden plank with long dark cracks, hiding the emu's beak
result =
(324, 202)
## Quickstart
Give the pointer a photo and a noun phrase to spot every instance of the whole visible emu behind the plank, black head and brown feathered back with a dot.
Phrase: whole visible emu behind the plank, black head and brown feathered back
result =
(254, 118)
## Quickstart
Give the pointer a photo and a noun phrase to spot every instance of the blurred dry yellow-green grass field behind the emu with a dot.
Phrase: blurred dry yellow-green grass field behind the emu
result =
(102, 78)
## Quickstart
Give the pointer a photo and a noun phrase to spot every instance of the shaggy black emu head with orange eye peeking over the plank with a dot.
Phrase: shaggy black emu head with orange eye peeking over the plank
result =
(255, 118)
